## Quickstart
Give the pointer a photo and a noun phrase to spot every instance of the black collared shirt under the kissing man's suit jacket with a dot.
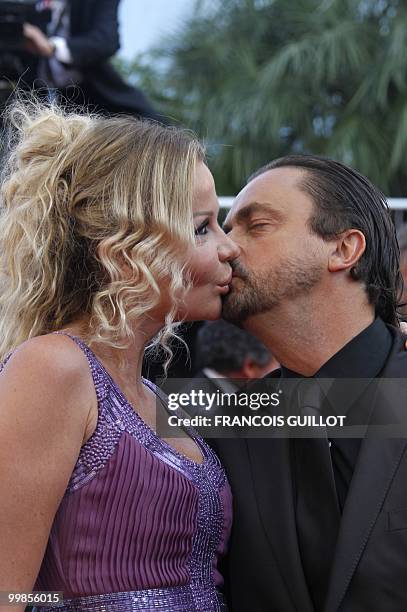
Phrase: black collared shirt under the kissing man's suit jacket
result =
(364, 357)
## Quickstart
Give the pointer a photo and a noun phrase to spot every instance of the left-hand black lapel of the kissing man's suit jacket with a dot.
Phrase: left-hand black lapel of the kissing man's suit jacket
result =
(271, 472)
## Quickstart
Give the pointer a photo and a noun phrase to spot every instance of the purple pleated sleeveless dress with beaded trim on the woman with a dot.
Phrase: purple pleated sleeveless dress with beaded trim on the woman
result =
(140, 526)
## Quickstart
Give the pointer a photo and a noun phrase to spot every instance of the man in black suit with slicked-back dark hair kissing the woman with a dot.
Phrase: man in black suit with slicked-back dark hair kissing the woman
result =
(317, 279)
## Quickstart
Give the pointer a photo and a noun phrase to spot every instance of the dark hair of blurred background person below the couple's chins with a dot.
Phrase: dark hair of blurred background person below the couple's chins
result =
(224, 347)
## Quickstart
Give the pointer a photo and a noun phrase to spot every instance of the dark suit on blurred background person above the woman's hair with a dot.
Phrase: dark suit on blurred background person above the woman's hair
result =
(93, 40)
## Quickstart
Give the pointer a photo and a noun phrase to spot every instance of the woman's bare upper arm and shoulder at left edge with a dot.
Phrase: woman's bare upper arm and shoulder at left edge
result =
(46, 396)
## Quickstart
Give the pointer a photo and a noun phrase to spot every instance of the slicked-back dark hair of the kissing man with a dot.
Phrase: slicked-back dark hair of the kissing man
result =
(345, 199)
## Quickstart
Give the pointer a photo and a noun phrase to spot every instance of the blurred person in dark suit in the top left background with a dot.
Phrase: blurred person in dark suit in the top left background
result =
(73, 58)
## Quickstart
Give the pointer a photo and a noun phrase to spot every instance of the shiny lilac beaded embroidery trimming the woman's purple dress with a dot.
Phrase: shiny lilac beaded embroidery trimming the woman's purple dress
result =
(115, 416)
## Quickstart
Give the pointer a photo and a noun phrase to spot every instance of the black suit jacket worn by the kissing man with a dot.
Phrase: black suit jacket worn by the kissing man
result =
(369, 573)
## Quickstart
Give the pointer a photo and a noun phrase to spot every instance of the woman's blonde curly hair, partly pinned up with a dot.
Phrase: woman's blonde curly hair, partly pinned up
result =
(81, 198)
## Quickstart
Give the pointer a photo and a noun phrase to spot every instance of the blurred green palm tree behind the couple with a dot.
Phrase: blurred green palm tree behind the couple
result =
(261, 78)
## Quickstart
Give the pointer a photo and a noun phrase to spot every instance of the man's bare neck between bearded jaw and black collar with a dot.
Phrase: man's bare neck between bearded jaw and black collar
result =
(304, 337)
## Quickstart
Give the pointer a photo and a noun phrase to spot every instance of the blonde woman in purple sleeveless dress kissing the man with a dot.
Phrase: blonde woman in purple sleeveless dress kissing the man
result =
(108, 235)
